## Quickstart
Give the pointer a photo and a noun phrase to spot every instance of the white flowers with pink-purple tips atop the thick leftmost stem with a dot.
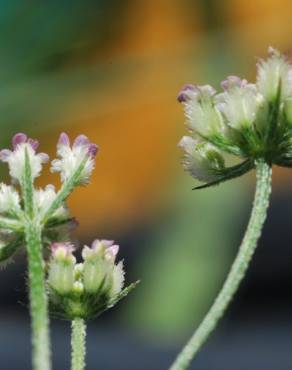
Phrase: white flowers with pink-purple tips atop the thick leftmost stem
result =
(48, 205)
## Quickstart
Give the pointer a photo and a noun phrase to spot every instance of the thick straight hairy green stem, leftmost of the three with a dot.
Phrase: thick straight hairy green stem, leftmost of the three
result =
(38, 299)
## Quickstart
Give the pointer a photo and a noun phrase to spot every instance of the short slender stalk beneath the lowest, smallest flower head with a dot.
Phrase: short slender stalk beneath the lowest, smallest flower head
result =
(78, 344)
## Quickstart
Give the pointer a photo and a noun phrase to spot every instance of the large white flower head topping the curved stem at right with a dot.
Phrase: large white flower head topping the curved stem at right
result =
(249, 121)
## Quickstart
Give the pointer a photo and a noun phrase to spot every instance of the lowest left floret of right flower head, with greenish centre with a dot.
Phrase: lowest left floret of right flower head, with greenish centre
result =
(202, 160)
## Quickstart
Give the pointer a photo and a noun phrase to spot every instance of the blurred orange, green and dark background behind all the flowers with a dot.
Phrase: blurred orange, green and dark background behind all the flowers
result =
(111, 70)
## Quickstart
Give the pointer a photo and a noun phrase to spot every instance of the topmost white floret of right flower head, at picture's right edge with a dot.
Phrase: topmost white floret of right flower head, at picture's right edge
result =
(274, 73)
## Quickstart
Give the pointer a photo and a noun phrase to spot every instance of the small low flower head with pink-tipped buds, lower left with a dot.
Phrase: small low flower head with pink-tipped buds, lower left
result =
(84, 290)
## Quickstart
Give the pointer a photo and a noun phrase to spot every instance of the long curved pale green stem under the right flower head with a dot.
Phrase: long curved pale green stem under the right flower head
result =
(238, 269)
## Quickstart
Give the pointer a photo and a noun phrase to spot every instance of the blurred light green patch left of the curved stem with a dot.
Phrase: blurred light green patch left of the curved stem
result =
(187, 259)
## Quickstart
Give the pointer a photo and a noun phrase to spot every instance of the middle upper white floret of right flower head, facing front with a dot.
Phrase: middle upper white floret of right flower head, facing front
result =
(239, 102)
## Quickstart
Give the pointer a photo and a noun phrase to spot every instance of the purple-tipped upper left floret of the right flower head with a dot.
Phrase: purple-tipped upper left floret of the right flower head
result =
(202, 115)
